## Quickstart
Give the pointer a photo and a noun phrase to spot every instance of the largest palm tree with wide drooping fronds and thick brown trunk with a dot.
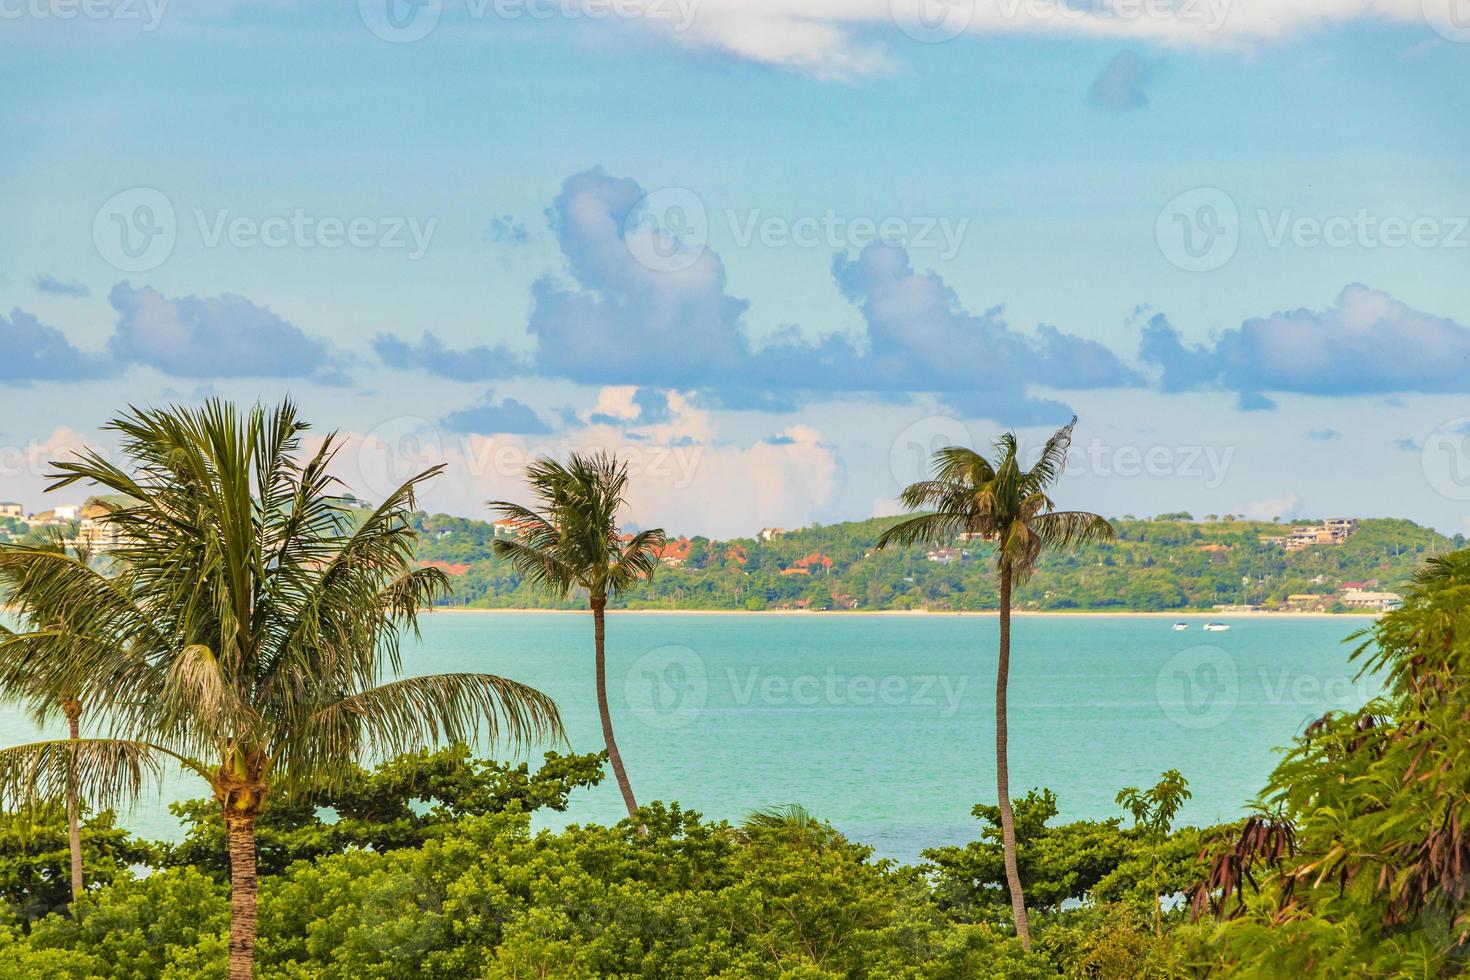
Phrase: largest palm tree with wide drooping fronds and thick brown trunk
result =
(254, 638)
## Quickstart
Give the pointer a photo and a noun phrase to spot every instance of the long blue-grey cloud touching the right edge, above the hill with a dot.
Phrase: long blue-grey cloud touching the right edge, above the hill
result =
(1366, 343)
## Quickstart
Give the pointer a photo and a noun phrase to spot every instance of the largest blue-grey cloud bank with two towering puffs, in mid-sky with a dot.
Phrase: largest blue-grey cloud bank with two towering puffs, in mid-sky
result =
(625, 324)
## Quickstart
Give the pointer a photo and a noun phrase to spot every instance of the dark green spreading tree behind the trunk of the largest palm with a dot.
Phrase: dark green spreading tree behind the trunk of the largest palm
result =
(402, 804)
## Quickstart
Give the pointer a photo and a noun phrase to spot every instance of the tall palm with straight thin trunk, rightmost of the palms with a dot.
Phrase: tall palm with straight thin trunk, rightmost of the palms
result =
(1008, 506)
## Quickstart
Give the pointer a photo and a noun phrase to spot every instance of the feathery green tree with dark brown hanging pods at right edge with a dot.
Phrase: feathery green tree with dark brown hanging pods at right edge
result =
(1359, 863)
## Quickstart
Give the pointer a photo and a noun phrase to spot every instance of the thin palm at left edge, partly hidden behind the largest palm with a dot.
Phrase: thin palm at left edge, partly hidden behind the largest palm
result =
(42, 688)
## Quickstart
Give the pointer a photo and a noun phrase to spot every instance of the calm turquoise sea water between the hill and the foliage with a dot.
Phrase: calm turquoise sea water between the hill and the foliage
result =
(884, 725)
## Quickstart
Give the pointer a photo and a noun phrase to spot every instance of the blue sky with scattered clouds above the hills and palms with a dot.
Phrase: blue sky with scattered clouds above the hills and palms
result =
(767, 255)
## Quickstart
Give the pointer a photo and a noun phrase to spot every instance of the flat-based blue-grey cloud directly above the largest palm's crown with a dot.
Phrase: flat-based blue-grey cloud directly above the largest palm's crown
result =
(215, 337)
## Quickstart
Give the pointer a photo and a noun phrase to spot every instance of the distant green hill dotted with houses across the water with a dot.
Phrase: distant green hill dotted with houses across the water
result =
(1155, 565)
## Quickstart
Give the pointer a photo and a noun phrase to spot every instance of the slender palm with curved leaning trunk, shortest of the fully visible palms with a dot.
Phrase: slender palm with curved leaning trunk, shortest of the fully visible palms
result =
(570, 541)
